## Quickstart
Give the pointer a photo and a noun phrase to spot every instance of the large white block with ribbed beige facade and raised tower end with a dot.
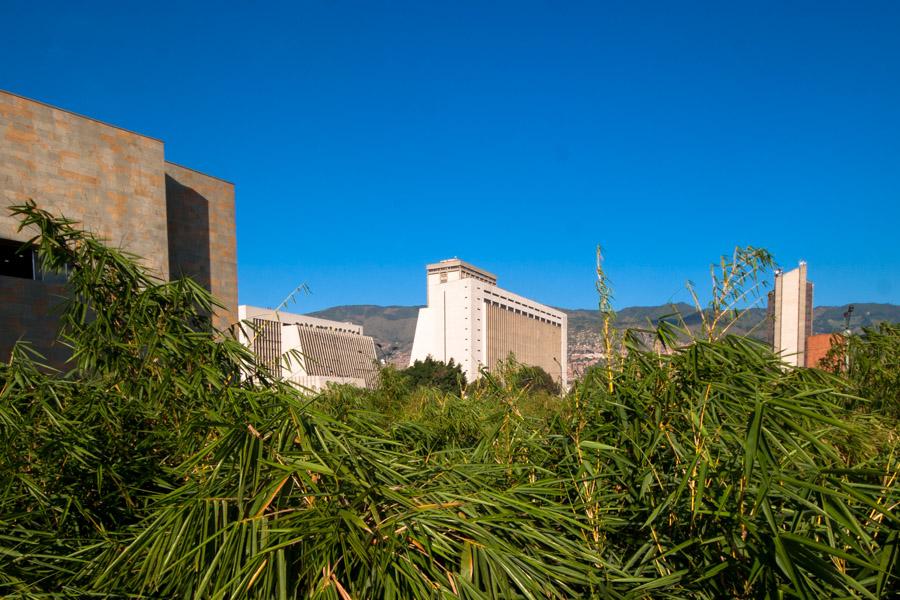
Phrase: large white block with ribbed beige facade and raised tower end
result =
(477, 324)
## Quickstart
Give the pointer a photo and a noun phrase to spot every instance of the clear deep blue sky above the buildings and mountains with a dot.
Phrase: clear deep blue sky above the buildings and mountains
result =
(369, 138)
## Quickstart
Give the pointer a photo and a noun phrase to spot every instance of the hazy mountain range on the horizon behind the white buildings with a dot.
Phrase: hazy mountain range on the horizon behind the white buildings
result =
(394, 327)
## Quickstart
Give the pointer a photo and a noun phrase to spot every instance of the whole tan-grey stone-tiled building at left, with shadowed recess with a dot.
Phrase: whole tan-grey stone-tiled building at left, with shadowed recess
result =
(116, 184)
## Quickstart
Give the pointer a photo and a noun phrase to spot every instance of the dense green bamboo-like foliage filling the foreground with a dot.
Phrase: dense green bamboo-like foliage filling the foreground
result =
(166, 463)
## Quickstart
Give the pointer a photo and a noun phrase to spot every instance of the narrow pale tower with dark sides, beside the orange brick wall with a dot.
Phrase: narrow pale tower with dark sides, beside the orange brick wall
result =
(790, 314)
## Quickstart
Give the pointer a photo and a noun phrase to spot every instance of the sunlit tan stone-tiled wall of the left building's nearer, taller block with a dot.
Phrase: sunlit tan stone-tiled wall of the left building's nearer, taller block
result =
(108, 179)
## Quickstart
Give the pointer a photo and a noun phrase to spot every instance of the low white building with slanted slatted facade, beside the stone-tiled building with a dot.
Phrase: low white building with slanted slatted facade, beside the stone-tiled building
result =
(309, 351)
